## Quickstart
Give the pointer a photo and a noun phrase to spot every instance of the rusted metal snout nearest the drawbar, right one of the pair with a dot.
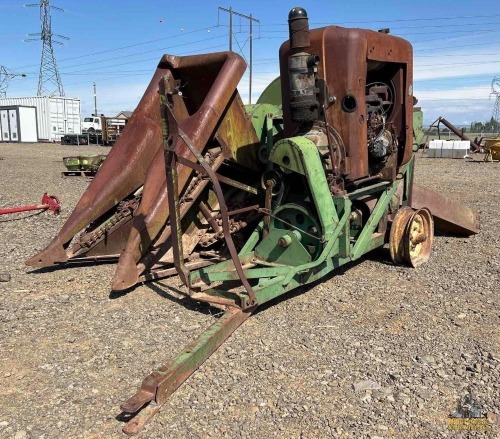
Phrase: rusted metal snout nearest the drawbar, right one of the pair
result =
(223, 70)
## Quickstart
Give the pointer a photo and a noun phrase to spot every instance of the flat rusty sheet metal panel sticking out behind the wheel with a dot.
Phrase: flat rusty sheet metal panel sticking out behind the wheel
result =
(449, 216)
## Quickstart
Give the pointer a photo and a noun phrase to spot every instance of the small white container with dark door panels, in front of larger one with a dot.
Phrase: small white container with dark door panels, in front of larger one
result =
(18, 124)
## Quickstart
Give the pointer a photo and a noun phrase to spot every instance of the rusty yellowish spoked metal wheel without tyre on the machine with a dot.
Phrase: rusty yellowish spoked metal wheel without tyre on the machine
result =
(412, 234)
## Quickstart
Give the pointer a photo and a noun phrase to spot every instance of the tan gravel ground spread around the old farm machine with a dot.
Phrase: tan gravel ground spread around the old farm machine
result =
(374, 351)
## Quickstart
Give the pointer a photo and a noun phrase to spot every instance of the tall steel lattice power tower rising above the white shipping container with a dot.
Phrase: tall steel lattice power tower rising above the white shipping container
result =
(49, 81)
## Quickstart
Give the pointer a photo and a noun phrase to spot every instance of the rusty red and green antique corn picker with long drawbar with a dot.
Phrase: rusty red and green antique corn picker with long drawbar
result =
(247, 203)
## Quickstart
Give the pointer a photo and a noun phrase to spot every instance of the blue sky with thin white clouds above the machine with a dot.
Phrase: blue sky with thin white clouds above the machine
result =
(118, 44)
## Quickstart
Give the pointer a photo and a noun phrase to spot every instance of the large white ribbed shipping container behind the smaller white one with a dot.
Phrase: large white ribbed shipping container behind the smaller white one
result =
(56, 115)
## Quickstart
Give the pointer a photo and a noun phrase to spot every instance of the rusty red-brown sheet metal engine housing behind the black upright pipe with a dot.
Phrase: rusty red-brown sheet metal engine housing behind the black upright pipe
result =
(349, 59)
